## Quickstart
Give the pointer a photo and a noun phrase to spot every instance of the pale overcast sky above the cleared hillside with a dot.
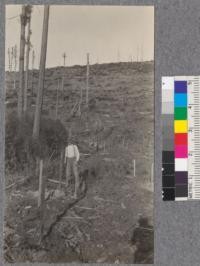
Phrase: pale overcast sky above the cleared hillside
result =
(108, 33)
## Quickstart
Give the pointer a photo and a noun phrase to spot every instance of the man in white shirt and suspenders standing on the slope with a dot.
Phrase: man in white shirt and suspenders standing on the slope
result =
(72, 157)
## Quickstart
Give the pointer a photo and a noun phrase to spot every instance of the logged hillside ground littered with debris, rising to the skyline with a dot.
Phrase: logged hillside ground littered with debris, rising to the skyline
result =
(117, 129)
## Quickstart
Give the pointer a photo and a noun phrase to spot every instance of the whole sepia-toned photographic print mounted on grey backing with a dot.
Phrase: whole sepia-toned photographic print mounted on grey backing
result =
(79, 134)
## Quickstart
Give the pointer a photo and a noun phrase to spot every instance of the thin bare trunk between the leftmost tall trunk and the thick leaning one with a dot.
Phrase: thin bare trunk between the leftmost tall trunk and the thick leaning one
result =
(28, 17)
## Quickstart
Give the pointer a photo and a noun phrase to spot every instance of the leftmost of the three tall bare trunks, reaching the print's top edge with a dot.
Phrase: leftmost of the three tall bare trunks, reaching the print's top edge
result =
(21, 64)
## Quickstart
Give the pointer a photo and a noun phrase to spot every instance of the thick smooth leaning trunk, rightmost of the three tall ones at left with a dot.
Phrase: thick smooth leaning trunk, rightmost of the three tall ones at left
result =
(39, 100)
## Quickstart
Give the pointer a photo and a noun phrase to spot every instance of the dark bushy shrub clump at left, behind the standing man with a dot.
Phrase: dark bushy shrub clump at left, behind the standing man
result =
(22, 149)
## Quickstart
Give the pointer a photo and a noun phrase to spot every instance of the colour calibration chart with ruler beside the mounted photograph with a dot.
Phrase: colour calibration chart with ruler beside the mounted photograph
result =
(181, 138)
